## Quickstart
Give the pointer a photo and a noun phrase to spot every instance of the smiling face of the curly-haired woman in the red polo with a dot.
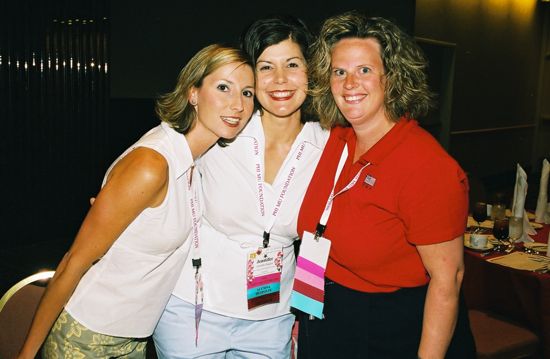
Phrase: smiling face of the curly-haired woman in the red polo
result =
(356, 81)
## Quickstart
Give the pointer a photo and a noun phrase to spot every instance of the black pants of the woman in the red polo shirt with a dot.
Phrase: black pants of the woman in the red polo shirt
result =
(374, 325)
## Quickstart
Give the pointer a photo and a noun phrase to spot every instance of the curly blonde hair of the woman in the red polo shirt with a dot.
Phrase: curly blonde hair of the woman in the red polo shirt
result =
(406, 92)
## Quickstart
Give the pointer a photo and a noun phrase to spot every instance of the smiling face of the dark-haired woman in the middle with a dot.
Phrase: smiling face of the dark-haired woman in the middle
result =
(281, 79)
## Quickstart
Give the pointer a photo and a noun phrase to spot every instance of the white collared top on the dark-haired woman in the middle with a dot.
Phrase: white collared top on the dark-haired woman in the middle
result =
(232, 223)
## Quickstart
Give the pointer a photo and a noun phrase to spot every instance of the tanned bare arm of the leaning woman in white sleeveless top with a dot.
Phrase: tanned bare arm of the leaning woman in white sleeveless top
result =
(138, 181)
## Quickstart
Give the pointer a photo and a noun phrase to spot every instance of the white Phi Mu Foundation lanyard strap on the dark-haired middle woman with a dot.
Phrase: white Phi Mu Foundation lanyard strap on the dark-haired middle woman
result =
(293, 165)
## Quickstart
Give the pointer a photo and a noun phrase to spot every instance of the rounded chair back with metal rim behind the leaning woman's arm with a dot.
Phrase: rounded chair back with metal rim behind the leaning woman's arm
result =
(17, 308)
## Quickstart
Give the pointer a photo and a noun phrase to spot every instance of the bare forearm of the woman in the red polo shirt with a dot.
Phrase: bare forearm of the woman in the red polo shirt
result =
(445, 265)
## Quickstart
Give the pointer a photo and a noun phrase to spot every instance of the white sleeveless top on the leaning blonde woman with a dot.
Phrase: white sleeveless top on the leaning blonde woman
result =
(125, 292)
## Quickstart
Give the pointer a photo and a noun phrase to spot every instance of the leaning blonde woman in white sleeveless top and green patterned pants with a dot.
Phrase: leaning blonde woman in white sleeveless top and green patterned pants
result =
(111, 287)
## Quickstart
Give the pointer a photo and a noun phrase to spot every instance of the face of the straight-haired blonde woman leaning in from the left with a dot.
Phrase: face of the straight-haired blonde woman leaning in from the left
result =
(225, 101)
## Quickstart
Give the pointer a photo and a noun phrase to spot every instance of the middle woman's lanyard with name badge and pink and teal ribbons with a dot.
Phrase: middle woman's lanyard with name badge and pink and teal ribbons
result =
(264, 265)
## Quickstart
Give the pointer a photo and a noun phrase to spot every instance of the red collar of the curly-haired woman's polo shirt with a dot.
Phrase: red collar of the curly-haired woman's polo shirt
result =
(386, 144)
